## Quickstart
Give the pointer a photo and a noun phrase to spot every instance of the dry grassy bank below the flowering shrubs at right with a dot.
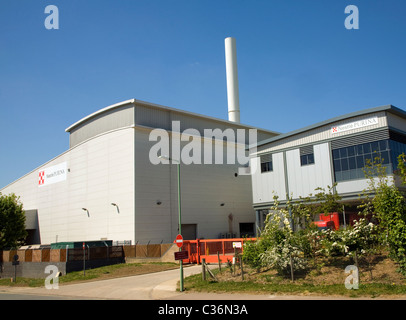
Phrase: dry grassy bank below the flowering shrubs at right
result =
(326, 277)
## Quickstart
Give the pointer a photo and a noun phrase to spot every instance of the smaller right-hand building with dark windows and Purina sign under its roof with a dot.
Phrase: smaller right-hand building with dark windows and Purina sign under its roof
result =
(333, 151)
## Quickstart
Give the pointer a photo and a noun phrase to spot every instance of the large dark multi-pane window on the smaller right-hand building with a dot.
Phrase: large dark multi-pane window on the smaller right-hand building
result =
(348, 162)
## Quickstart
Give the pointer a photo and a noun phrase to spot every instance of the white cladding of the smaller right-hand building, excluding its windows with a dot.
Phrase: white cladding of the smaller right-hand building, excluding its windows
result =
(290, 177)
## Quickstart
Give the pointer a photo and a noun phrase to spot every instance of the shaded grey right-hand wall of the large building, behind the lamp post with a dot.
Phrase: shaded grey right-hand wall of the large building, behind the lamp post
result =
(203, 187)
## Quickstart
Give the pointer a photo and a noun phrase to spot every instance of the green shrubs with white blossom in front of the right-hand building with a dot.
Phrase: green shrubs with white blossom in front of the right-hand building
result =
(289, 236)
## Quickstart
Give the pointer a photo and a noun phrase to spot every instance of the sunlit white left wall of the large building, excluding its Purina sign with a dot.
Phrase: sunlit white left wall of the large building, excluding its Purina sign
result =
(99, 172)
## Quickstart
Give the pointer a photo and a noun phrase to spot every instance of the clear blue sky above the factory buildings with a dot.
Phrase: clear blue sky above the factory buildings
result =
(297, 64)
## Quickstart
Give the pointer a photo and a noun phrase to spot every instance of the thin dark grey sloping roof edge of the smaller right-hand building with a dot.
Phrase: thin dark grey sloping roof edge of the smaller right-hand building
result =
(387, 108)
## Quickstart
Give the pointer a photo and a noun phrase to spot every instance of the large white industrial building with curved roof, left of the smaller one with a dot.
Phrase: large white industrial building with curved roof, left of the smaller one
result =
(105, 186)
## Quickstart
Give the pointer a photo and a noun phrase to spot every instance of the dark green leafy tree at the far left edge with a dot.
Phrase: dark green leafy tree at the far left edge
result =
(12, 222)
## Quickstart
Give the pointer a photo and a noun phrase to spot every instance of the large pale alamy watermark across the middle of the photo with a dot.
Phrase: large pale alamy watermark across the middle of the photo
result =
(199, 149)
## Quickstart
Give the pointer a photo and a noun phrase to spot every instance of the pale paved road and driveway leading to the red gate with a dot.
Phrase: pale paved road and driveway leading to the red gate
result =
(154, 286)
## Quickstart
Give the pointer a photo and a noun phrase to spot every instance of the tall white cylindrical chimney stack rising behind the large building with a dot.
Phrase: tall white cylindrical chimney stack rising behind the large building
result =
(232, 80)
